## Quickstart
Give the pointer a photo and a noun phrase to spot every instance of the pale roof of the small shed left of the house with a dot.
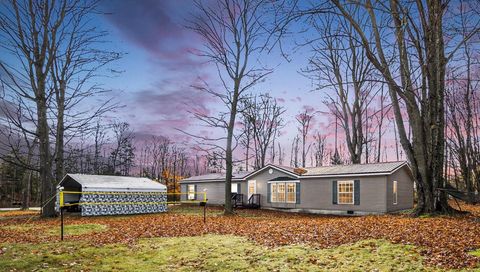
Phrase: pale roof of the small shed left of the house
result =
(113, 183)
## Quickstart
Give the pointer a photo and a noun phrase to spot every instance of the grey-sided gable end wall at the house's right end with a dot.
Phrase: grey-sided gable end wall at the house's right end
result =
(405, 190)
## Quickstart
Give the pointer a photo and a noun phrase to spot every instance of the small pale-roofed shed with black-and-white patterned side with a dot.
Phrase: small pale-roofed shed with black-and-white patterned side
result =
(112, 195)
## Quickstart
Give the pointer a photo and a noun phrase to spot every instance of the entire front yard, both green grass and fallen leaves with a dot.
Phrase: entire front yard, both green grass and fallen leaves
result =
(251, 240)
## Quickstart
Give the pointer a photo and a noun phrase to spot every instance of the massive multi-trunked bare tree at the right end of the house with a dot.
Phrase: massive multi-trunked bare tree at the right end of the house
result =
(412, 34)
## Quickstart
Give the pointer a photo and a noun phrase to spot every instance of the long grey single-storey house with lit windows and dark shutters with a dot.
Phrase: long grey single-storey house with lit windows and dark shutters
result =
(342, 189)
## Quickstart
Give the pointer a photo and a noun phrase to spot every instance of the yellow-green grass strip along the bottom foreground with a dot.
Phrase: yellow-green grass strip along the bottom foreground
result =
(210, 253)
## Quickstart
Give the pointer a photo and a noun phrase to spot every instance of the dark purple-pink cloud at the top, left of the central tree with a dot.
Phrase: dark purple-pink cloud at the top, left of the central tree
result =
(158, 28)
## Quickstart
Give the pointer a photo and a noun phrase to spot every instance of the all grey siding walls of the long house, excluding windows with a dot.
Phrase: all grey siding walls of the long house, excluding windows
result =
(376, 193)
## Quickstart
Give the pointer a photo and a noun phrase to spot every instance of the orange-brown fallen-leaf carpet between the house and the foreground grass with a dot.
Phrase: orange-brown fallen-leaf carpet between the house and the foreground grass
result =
(441, 241)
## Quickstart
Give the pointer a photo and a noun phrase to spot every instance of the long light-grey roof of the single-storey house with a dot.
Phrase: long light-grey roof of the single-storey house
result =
(371, 169)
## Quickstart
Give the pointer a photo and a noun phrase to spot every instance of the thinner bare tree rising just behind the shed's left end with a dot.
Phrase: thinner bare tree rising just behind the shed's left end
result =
(77, 62)
